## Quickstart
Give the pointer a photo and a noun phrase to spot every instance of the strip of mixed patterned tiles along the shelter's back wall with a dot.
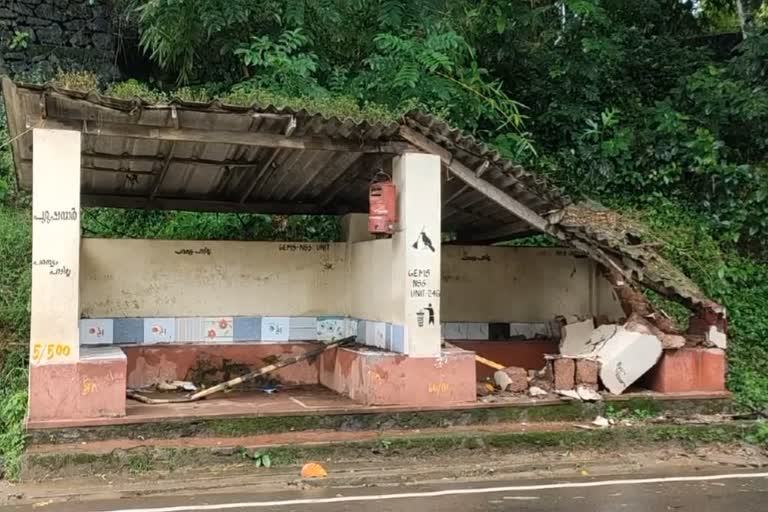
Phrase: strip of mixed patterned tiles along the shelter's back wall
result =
(247, 329)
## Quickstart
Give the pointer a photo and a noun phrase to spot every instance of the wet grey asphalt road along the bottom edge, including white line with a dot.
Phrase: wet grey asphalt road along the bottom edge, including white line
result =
(742, 492)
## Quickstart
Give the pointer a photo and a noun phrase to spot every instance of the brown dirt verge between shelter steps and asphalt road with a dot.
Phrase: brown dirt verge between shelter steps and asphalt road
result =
(476, 467)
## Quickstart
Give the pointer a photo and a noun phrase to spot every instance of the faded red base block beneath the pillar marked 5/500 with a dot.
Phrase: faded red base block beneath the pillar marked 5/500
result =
(93, 387)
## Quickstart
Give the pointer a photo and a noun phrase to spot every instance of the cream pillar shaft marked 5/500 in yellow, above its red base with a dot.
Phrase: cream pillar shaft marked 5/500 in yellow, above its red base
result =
(55, 247)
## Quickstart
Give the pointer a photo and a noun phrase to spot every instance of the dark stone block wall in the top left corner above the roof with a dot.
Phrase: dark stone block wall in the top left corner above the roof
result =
(40, 37)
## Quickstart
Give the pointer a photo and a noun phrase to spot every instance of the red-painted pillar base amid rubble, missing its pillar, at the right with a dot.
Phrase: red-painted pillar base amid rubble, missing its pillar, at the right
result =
(688, 369)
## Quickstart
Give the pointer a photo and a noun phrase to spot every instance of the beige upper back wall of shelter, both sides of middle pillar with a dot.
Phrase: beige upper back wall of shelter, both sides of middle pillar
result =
(155, 278)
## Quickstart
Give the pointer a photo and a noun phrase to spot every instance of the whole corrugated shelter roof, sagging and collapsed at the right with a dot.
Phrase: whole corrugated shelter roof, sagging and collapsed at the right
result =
(228, 158)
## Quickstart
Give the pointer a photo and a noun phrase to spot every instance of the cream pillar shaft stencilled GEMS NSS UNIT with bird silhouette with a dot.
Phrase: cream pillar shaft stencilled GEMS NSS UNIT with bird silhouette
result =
(416, 252)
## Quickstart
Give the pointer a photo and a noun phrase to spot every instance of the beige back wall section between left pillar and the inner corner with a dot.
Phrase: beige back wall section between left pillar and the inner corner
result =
(136, 278)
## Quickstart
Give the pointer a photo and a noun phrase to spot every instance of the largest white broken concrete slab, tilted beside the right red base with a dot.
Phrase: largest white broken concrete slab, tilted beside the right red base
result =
(625, 357)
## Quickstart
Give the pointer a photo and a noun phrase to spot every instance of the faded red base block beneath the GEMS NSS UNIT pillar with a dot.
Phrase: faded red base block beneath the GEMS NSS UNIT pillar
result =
(385, 378)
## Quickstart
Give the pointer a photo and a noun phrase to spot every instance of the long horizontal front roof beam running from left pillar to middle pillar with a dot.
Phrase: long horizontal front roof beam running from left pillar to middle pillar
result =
(272, 140)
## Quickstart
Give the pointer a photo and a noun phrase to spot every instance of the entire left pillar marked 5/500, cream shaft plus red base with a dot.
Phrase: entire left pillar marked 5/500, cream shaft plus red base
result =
(65, 385)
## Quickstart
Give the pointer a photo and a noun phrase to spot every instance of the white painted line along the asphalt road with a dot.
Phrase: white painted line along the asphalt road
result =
(447, 492)
